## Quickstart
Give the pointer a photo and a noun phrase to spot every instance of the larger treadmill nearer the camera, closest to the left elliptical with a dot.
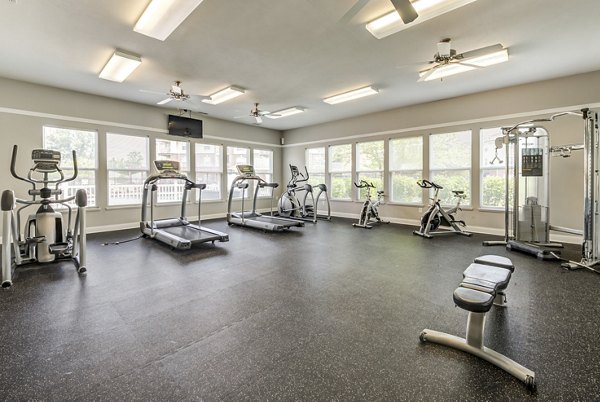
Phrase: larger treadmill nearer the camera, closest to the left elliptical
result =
(178, 233)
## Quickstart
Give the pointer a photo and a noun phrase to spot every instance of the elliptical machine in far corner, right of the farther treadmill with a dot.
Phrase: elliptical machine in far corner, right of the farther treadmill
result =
(306, 207)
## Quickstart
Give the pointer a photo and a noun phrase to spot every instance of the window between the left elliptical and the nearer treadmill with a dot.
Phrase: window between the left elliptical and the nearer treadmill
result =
(128, 166)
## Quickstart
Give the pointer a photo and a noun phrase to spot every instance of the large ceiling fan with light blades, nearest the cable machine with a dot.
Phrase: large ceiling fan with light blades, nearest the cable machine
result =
(446, 57)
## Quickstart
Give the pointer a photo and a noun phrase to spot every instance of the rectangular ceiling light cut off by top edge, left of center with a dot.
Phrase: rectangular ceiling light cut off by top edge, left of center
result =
(162, 17)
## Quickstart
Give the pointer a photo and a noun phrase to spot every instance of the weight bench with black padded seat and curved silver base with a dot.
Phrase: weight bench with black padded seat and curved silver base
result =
(483, 285)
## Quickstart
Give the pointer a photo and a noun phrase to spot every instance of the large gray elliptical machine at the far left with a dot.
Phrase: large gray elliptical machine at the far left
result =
(45, 239)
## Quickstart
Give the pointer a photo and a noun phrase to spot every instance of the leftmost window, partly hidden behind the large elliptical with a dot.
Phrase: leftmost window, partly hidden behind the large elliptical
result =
(85, 144)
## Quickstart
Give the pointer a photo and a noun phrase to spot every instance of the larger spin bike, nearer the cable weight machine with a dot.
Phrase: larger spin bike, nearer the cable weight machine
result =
(437, 216)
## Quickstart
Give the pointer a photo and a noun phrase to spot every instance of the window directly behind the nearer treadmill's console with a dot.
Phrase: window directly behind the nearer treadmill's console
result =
(172, 190)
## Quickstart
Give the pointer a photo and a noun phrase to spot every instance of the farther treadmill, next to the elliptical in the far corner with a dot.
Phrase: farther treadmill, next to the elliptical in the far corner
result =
(252, 218)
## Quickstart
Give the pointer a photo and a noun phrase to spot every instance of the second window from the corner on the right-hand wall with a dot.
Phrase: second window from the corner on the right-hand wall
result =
(340, 171)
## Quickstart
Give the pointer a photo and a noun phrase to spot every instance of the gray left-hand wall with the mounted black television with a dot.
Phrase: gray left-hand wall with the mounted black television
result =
(25, 108)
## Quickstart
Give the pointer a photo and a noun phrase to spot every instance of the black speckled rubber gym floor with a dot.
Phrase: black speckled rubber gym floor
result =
(325, 312)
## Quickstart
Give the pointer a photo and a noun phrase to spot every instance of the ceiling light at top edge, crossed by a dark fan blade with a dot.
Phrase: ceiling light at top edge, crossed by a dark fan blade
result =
(427, 9)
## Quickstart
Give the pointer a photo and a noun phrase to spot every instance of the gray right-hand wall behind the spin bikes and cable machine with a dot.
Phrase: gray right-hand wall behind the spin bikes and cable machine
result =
(483, 110)
